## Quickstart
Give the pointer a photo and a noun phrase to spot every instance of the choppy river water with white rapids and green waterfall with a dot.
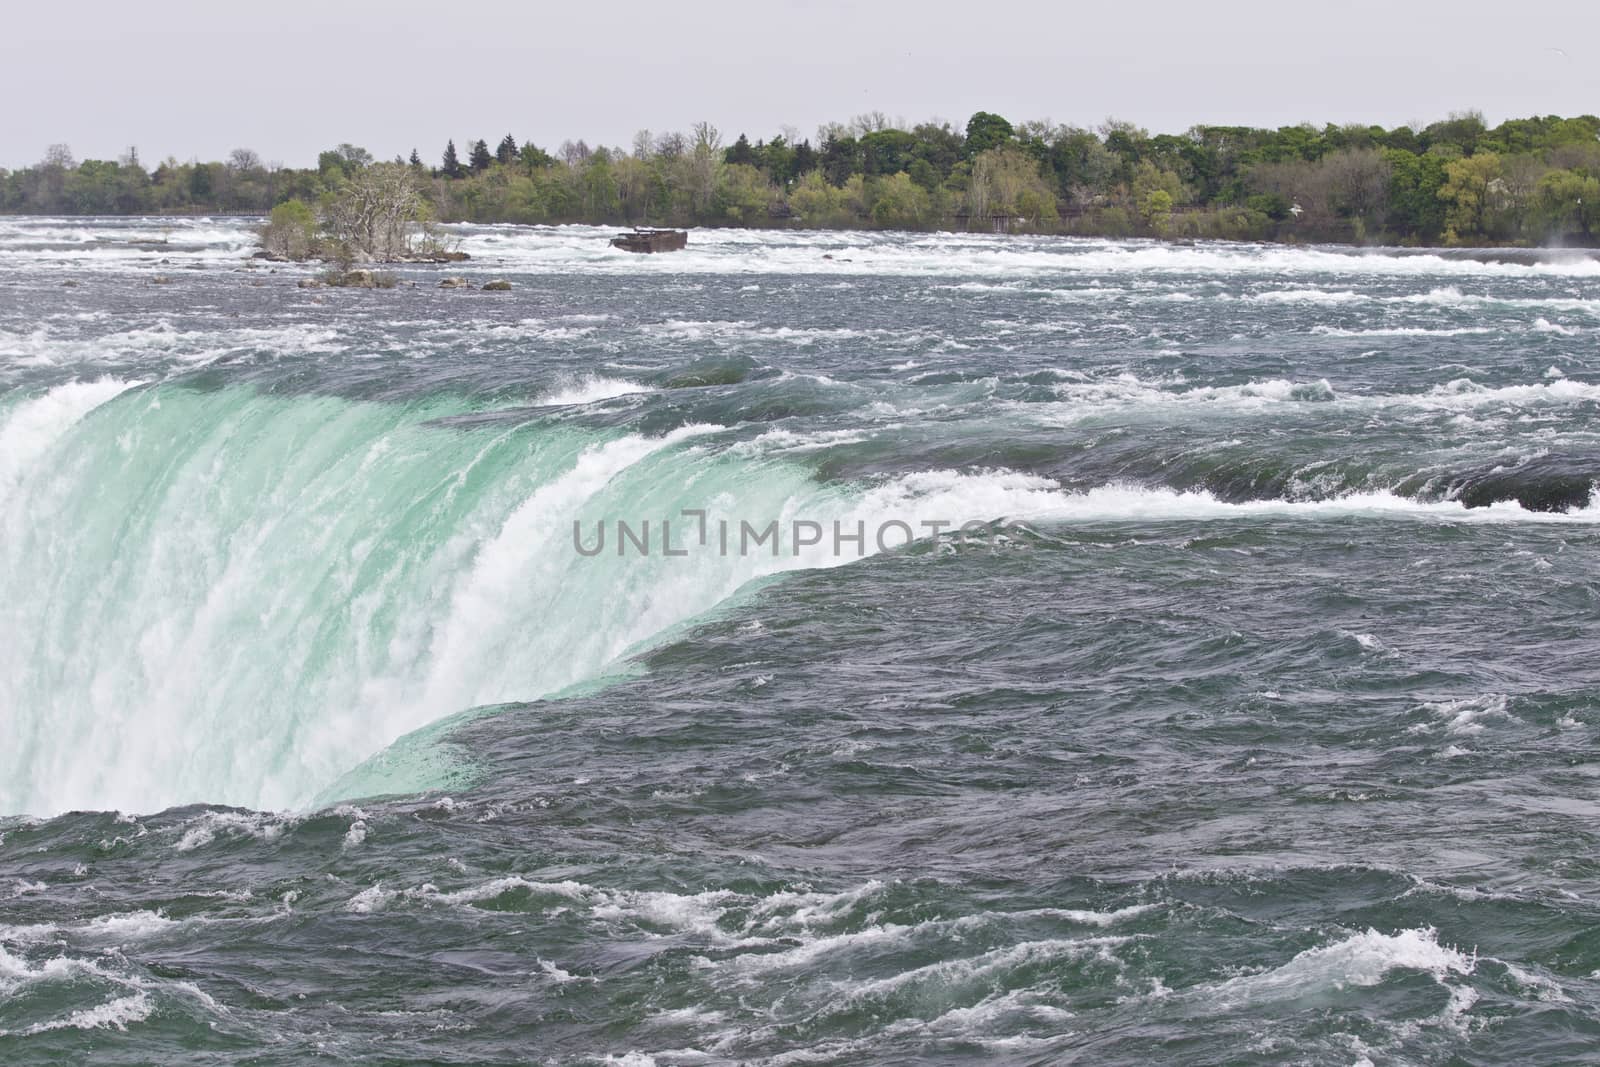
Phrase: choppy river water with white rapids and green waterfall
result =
(1252, 722)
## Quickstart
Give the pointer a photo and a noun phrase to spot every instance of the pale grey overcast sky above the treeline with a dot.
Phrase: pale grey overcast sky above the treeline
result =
(289, 79)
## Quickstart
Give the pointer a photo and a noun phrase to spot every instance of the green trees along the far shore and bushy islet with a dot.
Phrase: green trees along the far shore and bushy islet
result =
(1455, 183)
